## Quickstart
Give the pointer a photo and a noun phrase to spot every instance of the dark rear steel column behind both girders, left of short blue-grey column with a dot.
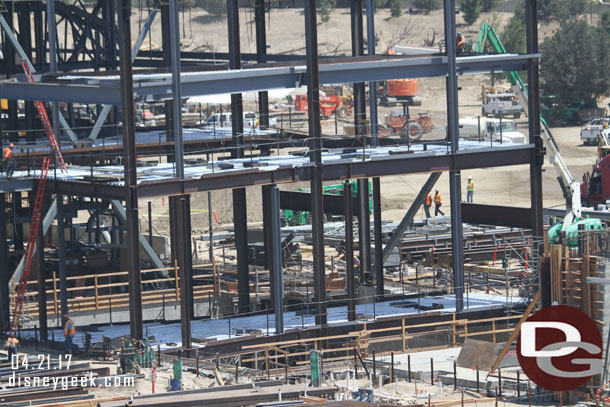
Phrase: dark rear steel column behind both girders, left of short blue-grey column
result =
(240, 218)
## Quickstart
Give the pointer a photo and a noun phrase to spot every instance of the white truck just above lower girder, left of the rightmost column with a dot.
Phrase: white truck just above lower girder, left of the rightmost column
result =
(486, 129)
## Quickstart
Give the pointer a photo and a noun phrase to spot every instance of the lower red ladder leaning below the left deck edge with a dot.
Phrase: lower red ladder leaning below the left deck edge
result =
(29, 251)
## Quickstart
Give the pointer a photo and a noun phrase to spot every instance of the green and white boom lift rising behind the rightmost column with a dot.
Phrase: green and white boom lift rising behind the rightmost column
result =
(573, 220)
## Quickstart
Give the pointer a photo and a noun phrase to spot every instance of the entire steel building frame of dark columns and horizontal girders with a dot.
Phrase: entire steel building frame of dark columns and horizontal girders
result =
(112, 88)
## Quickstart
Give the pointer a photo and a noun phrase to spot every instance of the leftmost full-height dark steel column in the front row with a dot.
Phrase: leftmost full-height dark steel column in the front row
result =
(131, 179)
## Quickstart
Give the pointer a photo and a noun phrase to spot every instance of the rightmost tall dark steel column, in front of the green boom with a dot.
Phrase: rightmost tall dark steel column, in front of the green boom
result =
(533, 106)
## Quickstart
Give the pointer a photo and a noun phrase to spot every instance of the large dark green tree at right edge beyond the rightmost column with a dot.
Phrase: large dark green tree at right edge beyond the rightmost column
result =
(574, 67)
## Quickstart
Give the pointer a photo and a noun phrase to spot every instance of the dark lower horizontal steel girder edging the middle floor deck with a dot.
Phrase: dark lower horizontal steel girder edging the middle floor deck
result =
(333, 171)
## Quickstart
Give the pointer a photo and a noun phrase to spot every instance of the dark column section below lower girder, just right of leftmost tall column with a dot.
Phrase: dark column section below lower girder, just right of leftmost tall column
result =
(185, 260)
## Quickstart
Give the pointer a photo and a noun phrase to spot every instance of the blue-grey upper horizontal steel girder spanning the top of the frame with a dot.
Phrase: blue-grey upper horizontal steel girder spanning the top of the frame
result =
(105, 89)
